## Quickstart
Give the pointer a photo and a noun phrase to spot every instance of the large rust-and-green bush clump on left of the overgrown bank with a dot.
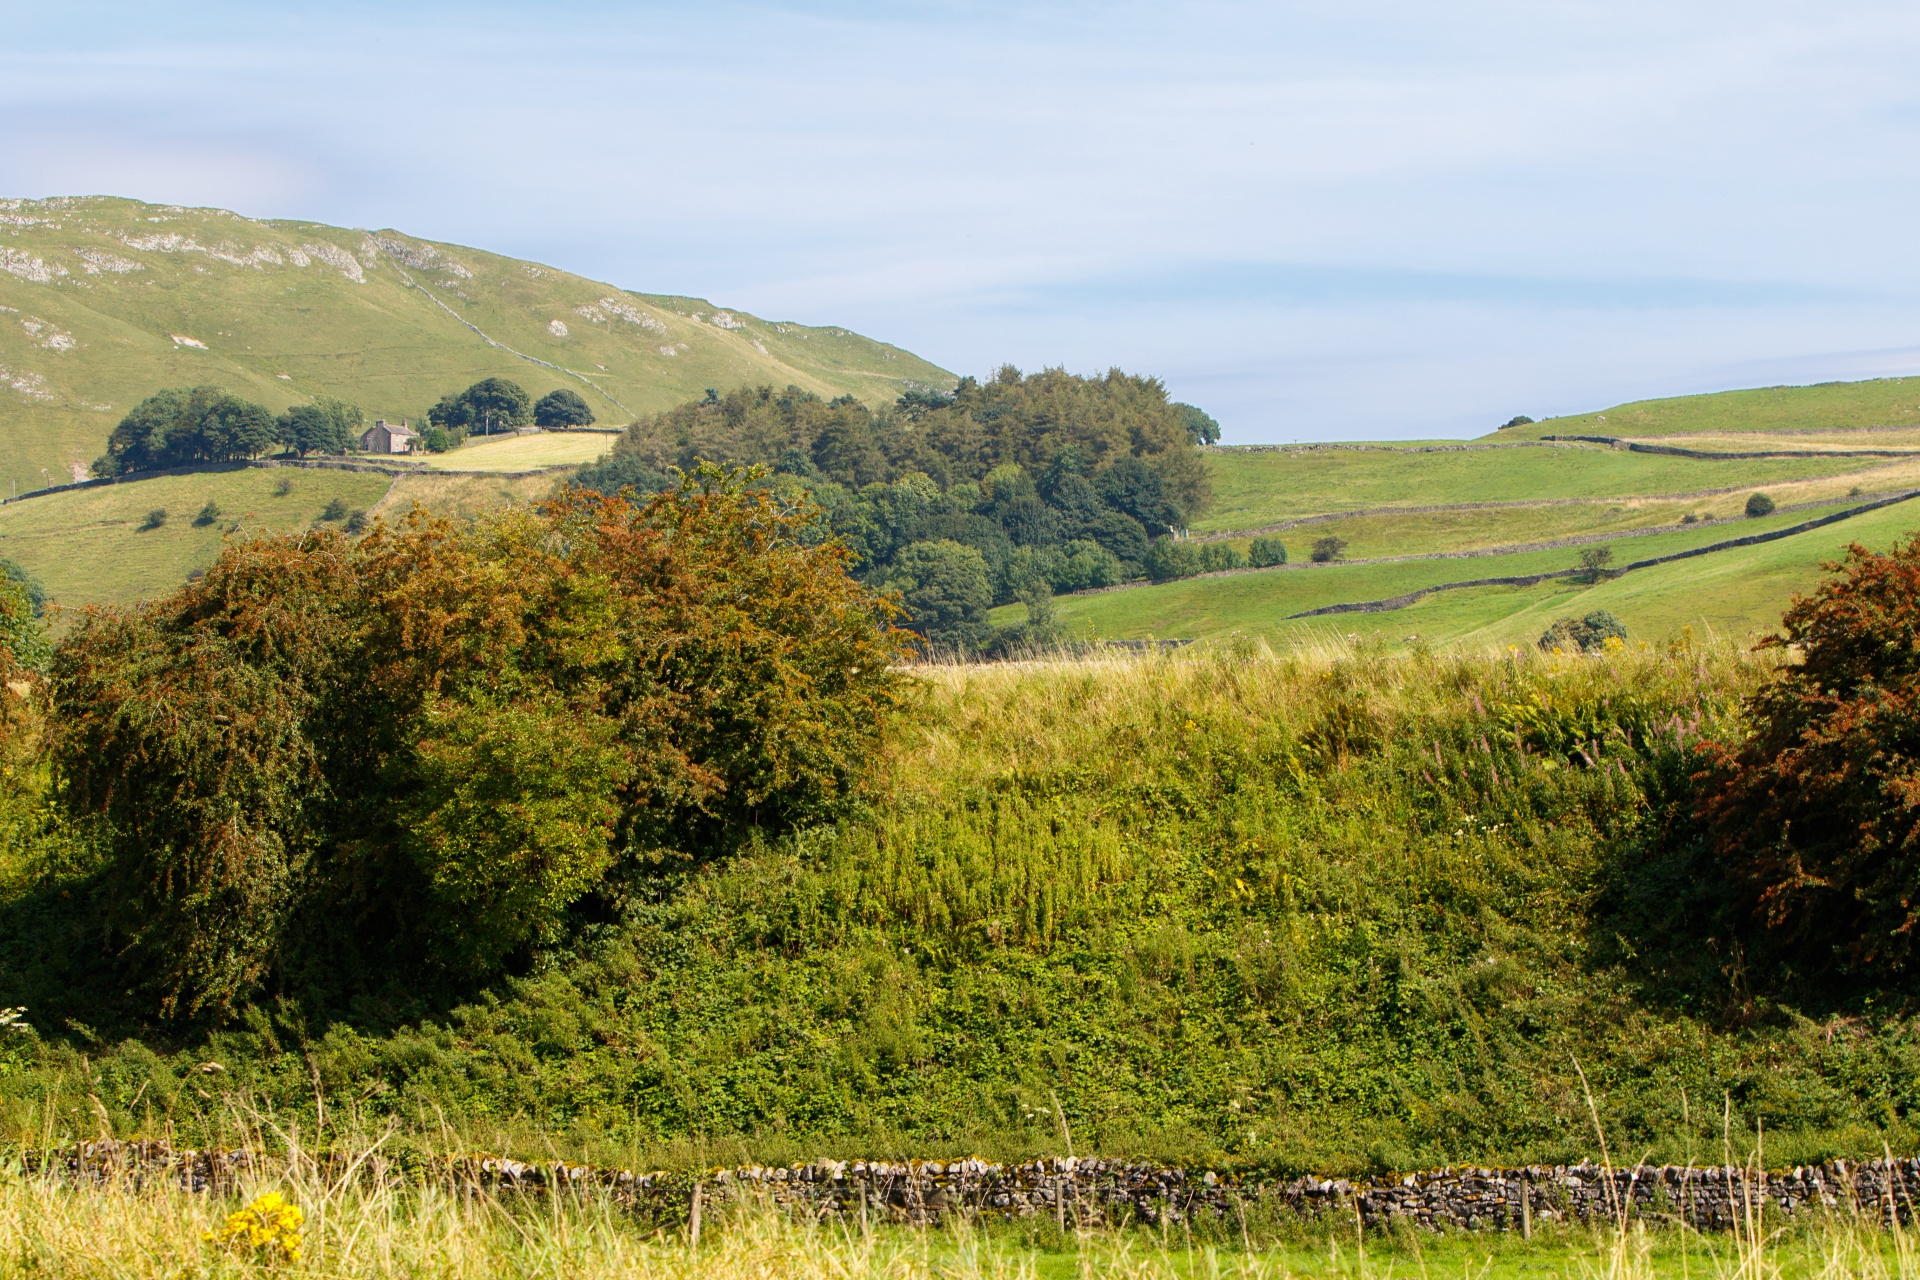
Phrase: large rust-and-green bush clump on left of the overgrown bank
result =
(421, 747)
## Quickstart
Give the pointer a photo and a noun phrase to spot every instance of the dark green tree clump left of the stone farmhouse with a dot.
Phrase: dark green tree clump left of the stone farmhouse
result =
(181, 427)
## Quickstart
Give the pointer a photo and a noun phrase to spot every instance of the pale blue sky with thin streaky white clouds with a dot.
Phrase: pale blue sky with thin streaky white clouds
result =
(1320, 222)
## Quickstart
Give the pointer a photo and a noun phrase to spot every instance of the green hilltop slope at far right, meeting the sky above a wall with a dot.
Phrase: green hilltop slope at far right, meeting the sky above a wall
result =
(1883, 402)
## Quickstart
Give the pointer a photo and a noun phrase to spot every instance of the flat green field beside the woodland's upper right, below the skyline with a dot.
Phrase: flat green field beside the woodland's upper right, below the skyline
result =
(1253, 490)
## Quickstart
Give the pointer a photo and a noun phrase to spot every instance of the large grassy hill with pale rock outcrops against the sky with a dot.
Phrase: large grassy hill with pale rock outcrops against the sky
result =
(108, 300)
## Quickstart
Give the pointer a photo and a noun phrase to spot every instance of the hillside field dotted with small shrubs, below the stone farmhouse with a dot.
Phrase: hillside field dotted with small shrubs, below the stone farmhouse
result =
(89, 546)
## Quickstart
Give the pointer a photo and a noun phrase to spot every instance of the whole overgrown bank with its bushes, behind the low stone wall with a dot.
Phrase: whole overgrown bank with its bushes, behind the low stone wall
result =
(617, 830)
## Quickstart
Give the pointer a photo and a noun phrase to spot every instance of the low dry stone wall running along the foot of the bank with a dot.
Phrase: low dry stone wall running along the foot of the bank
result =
(1111, 1193)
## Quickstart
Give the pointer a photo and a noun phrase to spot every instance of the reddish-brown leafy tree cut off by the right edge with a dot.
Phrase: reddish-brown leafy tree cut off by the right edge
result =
(1817, 813)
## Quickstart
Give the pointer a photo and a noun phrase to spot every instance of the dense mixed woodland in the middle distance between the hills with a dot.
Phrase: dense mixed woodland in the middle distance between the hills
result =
(1005, 490)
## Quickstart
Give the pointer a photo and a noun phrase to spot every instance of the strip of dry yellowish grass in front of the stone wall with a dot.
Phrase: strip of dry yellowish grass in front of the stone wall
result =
(379, 1225)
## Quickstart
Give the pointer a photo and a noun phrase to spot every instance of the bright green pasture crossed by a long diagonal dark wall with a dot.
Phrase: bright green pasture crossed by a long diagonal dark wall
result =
(1733, 592)
